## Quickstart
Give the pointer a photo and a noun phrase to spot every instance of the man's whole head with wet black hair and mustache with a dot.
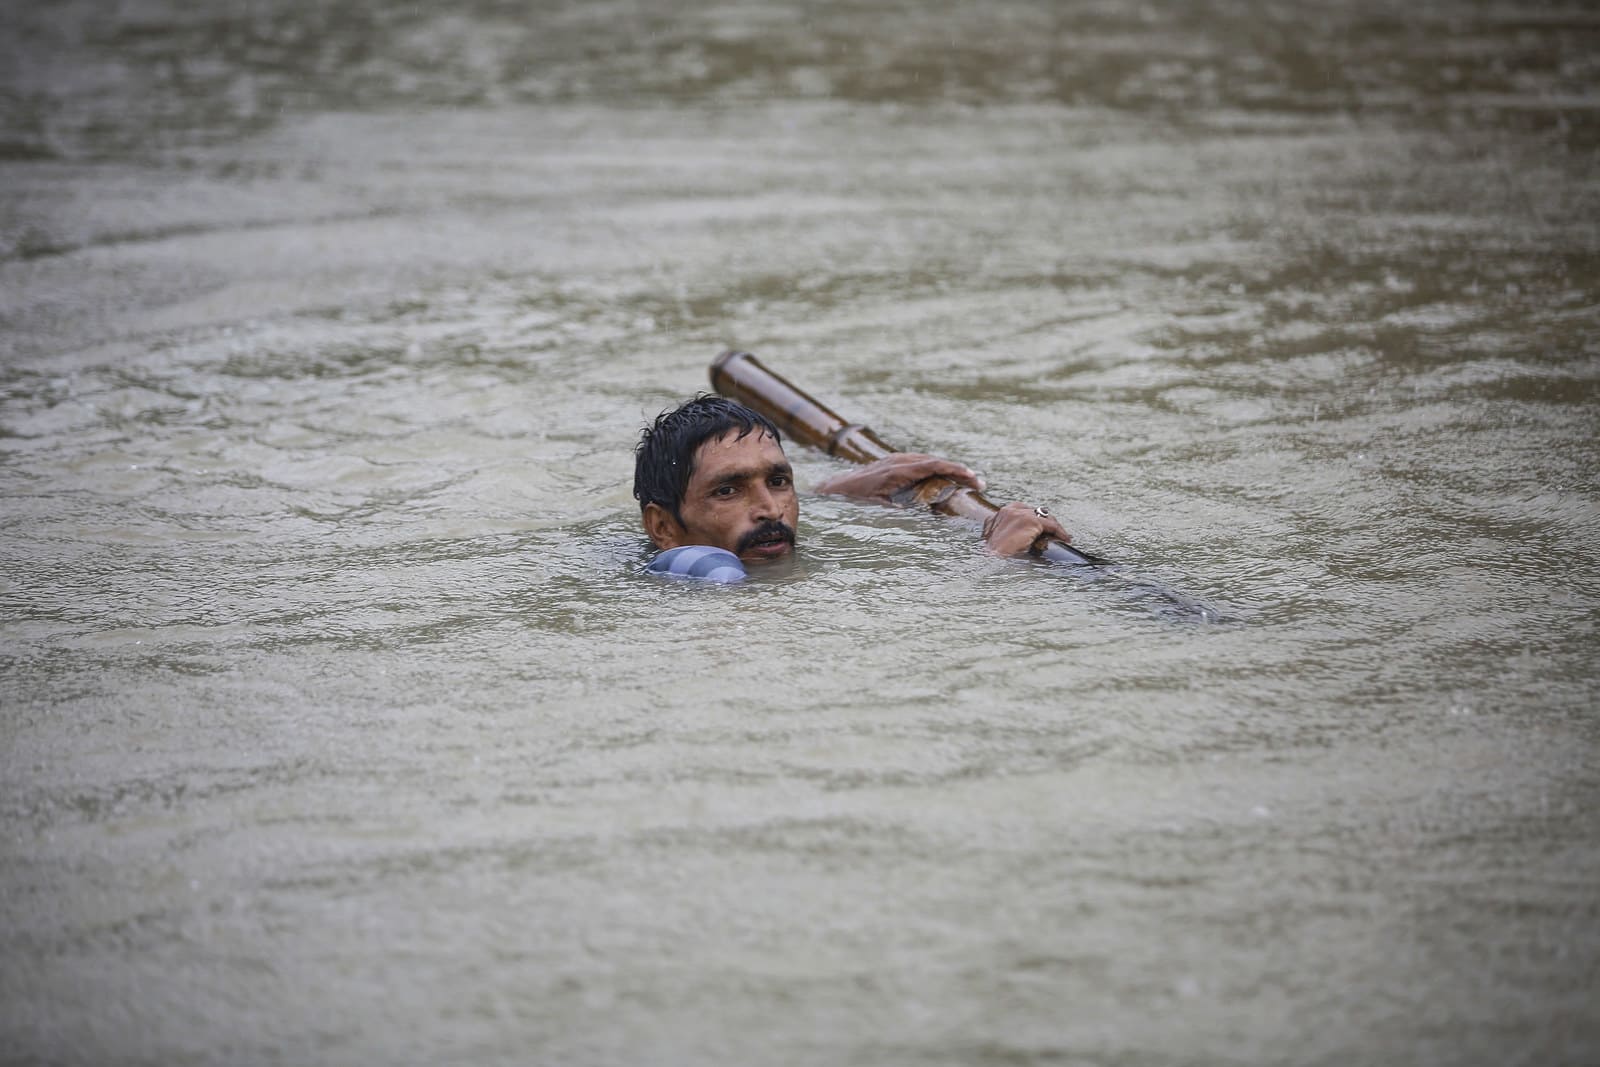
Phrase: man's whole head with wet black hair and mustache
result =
(714, 473)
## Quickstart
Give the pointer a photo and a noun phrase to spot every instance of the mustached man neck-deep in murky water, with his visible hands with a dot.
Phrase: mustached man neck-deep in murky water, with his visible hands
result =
(718, 492)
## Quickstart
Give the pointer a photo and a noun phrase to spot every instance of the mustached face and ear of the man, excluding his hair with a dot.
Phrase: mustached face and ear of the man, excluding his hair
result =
(742, 498)
